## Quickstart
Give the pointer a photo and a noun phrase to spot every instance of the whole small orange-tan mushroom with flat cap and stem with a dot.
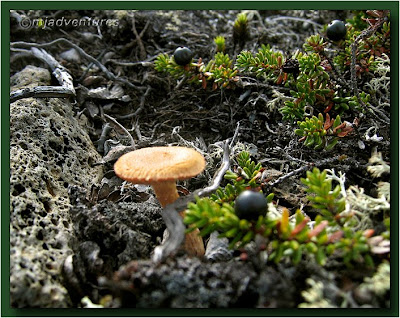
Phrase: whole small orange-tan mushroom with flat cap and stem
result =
(160, 167)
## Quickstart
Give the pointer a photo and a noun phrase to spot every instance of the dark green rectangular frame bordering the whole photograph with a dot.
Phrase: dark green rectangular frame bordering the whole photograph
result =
(7, 311)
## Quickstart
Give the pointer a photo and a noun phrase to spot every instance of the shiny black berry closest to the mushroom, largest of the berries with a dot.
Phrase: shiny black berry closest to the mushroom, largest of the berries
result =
(250, 205)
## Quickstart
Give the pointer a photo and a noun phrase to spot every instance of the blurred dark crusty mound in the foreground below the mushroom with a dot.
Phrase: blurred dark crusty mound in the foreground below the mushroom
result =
(189, 282)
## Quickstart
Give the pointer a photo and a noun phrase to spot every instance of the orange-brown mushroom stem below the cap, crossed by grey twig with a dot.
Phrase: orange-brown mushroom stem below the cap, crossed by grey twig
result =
(166, 194)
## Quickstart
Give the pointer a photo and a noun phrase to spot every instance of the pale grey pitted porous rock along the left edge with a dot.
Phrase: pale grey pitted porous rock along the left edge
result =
(49, 151)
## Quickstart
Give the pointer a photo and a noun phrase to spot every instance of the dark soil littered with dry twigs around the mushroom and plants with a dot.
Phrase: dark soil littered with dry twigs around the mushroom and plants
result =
(112, 247)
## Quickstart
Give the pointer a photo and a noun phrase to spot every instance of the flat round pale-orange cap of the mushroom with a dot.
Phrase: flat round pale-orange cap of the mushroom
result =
(157, 164)
